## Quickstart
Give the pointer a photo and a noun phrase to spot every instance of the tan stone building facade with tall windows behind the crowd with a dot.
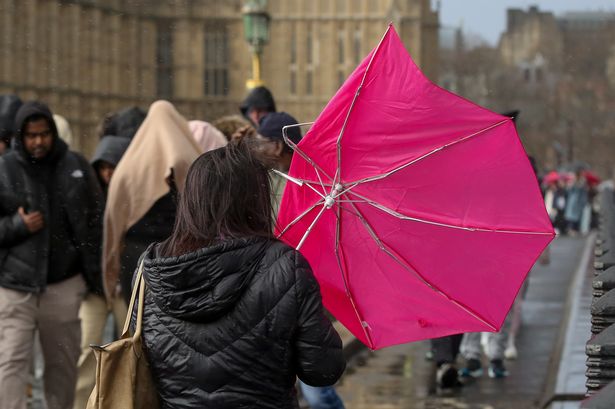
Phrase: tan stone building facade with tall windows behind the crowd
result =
(89, 57)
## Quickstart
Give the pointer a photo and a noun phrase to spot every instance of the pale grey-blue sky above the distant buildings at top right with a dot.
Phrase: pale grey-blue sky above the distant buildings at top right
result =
(488, 17)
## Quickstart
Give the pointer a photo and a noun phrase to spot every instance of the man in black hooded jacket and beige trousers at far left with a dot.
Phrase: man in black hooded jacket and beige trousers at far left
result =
(50, 211)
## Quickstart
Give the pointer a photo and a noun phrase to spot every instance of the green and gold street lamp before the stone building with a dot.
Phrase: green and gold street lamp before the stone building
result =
(256, 33)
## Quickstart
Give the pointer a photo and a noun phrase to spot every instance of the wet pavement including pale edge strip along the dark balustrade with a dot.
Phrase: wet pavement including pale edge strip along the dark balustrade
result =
(401, 377)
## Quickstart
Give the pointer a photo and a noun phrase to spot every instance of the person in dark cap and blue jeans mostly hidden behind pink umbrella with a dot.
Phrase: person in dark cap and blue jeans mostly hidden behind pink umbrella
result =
(278, 155)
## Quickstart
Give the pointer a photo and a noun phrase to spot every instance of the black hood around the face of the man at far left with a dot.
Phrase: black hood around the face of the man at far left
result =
(25, 112)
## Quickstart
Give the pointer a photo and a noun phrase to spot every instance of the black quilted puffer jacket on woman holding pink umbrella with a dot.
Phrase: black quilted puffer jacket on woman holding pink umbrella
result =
(232, 325)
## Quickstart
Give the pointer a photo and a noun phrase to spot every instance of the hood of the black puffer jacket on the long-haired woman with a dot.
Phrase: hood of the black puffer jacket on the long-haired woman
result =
(203, 285)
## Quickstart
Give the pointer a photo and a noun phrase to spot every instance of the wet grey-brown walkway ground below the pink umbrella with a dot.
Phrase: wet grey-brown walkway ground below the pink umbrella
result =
(401, 377)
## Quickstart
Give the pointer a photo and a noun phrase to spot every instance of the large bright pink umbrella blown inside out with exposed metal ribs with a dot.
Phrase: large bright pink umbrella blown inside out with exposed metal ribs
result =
(418, 210)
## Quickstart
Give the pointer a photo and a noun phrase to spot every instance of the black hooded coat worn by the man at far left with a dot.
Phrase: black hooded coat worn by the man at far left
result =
(63, 187)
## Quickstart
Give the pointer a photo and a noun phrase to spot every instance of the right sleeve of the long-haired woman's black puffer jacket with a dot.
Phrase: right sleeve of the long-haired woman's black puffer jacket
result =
(320, 359)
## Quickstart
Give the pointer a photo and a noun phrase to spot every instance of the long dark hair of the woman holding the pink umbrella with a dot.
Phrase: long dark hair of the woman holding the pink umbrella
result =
(227, 195)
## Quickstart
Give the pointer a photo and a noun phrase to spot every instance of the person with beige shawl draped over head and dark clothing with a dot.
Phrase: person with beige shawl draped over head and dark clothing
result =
(141, 203)
